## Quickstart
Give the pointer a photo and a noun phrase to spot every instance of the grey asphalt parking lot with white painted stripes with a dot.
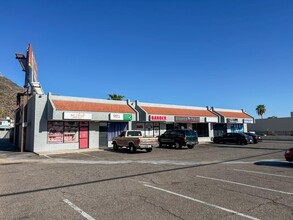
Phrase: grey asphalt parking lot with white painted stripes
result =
(211, 181)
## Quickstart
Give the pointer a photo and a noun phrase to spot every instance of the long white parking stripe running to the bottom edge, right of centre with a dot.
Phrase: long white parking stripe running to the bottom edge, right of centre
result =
(202, 202)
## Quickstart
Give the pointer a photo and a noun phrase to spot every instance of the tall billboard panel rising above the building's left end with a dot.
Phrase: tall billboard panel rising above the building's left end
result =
(32, 66)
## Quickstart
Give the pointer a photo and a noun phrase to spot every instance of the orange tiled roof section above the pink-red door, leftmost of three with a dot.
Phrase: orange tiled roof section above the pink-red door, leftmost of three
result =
(62, 105)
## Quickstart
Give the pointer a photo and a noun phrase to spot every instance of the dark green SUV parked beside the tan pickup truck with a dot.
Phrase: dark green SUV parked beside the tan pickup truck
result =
(178, 138)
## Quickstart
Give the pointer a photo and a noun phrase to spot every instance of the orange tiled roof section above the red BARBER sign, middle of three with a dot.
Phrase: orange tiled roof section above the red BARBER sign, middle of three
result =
(178, 111)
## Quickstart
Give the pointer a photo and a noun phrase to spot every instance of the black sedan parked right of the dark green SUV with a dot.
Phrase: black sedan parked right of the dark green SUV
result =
(235, 138)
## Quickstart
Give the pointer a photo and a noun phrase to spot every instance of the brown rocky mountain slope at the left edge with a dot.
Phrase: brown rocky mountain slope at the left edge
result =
(8, 95)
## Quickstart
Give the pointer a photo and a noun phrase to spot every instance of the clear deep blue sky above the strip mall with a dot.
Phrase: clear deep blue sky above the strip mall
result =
(231, 54)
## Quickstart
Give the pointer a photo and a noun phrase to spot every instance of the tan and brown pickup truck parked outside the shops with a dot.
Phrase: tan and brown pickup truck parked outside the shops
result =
(133, 140)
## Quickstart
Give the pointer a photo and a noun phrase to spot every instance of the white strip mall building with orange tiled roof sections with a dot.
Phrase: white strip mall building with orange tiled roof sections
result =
(58, 123)
